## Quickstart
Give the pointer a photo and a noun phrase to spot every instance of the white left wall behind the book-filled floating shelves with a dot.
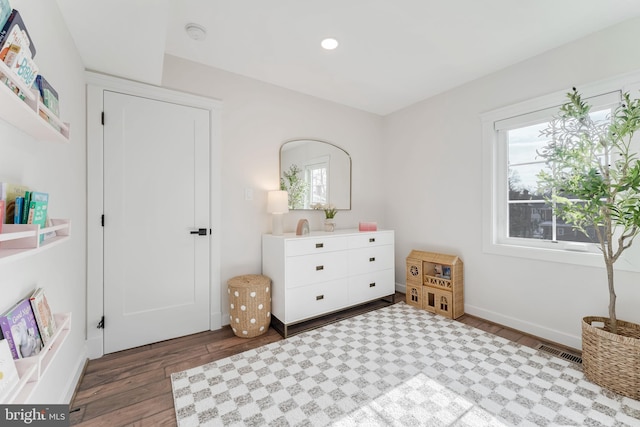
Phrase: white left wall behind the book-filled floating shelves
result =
(59, 169)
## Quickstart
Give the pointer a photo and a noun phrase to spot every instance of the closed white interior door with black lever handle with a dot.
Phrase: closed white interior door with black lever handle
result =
(156, 195)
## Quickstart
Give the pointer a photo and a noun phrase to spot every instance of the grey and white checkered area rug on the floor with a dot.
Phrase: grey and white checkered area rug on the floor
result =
(396, 366)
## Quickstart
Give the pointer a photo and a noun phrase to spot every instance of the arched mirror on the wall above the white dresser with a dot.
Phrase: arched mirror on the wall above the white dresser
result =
(315, 173)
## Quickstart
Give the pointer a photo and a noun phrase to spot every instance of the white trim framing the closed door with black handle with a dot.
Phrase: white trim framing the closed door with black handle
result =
(96, 85)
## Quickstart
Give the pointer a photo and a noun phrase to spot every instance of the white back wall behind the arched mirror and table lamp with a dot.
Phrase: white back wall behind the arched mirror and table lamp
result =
(256, 119)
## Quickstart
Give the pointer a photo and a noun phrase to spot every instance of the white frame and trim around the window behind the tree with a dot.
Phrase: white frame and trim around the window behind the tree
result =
(495, 182)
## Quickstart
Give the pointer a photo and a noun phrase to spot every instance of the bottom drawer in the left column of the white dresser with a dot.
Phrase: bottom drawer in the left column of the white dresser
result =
(314, 300)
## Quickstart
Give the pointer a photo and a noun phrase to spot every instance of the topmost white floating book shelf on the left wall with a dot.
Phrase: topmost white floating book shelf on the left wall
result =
(24, 115)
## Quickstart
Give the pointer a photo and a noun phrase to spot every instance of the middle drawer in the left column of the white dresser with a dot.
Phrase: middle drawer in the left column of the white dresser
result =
(308, 269)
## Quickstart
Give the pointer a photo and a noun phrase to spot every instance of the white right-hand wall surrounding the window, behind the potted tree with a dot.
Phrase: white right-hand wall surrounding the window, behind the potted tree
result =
(434, 149)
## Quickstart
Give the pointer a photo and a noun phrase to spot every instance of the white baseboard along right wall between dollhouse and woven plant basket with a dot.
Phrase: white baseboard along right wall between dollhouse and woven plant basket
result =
(553, 335)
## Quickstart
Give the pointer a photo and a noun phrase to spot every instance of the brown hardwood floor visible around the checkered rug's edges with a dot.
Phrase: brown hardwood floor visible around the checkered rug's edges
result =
(133, 387)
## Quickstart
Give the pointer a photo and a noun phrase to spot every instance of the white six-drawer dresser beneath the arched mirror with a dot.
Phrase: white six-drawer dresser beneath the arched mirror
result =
(323, 272)
